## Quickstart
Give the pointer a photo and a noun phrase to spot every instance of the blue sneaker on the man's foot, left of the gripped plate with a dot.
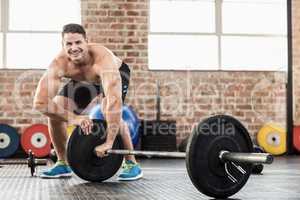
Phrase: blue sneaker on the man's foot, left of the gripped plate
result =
(59, 170)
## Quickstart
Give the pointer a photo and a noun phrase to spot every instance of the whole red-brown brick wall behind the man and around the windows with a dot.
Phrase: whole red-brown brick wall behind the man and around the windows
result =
(187, 97)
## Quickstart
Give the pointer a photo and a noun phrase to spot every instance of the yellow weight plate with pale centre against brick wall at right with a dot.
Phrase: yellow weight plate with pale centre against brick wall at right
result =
(272, 138)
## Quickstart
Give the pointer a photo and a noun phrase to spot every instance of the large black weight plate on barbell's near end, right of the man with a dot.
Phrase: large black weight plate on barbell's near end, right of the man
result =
(205, 169)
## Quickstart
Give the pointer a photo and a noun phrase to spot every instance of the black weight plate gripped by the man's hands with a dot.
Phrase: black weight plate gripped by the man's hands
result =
(82, 159)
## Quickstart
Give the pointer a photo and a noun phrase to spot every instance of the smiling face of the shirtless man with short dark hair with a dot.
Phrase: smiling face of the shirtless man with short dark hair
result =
(75, 46)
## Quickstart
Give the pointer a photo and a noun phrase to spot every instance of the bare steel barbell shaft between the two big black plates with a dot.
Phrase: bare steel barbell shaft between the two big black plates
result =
(147, 153)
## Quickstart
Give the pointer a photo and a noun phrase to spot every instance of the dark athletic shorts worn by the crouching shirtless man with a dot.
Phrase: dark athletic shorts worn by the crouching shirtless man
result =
(83, 93)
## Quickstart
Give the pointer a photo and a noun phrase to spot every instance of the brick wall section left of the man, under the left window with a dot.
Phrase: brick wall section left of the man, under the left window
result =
(16, 91)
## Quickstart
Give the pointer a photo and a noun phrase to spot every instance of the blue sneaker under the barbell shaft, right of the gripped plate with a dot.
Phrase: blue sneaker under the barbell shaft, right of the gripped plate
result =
(130, 171)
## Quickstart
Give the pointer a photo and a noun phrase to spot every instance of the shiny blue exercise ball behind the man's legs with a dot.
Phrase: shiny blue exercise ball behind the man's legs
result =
(128, 115)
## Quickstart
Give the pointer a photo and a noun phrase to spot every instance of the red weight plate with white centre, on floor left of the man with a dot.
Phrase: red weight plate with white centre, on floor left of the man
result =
(36, 138)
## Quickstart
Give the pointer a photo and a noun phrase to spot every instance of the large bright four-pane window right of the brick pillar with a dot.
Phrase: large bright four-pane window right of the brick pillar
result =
(218, 35)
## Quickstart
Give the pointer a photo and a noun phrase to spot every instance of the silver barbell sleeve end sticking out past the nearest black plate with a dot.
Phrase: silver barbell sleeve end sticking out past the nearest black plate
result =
(254, 158)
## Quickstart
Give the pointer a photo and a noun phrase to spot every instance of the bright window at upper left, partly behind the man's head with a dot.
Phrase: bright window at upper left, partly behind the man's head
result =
(30, 31)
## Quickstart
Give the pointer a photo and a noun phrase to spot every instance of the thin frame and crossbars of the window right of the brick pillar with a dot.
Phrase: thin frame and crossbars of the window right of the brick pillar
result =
(219, 33)
